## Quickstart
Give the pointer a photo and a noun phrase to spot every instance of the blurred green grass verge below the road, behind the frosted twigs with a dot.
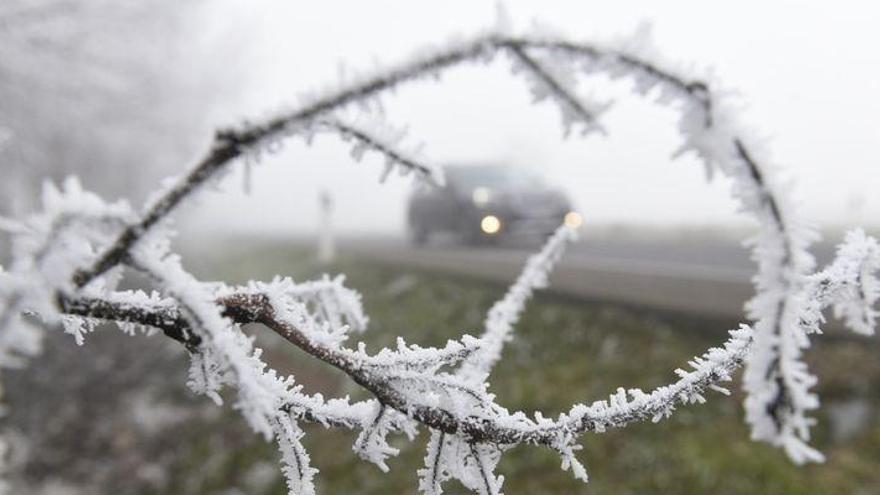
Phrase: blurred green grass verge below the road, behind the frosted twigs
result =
(565, 351)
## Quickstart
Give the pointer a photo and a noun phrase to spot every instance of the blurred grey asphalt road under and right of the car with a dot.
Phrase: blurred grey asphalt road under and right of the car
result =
(696, 274)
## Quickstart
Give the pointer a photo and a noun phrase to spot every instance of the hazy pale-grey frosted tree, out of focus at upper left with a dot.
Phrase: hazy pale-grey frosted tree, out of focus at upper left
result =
(108, 89)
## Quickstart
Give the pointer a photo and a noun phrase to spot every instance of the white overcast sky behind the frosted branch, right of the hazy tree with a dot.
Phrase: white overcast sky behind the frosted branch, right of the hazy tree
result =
(809, 73)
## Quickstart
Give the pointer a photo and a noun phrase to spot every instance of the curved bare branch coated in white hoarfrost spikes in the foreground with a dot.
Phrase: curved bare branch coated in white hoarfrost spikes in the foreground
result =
(69, 255)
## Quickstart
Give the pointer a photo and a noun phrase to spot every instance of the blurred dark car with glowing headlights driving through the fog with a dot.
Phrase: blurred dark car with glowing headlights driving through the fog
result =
(483, 203)
